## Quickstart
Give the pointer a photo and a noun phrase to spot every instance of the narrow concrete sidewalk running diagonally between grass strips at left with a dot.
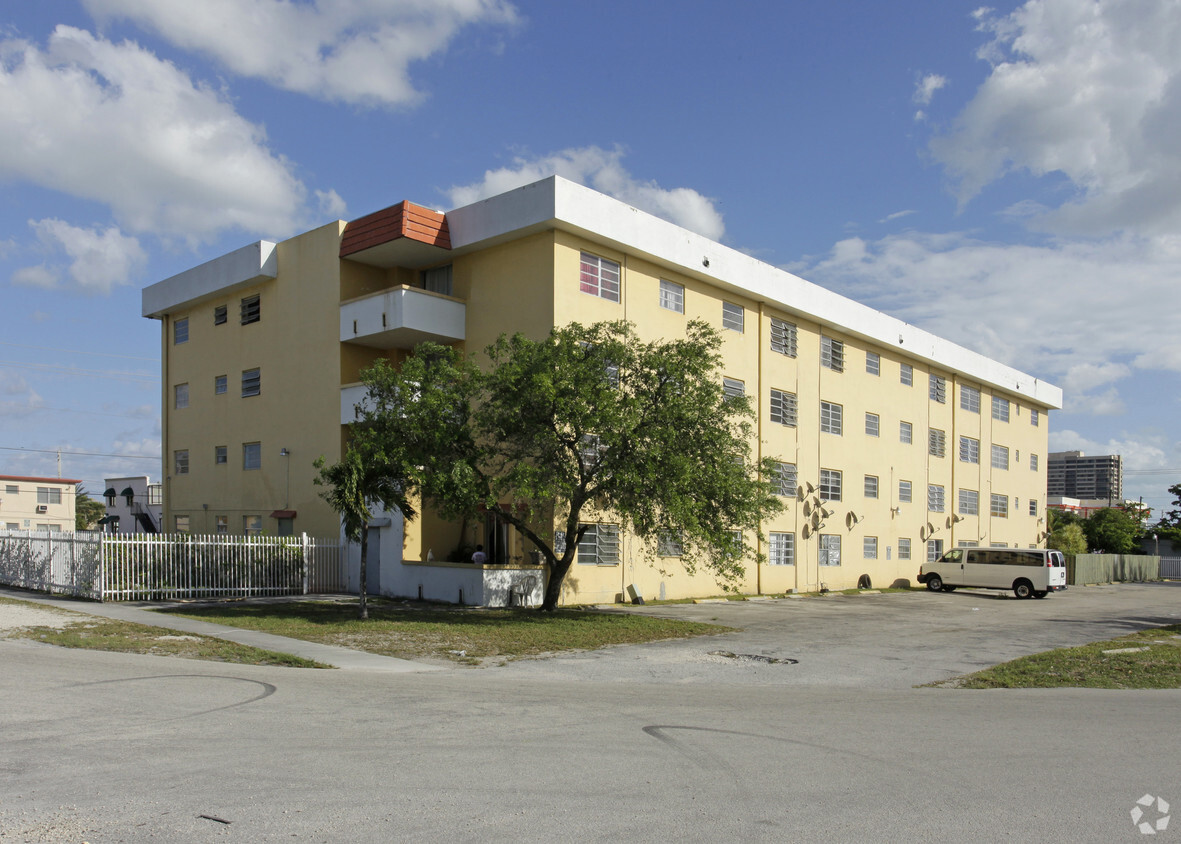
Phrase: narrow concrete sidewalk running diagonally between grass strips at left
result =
(141, 614)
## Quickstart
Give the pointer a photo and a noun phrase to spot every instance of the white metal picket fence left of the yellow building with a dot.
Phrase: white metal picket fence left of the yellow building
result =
(160, 567)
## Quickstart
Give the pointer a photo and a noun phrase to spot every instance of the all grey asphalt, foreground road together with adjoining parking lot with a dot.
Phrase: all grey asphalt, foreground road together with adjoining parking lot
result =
(657, 743)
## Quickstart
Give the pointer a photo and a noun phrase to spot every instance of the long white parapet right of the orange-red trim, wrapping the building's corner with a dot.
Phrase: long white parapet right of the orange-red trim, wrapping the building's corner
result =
(559, 204)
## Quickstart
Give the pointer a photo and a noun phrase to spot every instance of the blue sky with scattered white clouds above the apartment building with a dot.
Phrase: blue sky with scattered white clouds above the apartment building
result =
(1007, 178)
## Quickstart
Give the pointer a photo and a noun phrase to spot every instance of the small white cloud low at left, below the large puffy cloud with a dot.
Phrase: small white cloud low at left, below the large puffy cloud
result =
(101, 259)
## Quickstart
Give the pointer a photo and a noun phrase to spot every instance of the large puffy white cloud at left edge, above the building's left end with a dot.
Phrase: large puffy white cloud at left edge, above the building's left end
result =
(116, 125)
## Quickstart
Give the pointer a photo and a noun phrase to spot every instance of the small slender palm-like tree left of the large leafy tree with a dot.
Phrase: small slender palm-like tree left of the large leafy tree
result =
(362, 477)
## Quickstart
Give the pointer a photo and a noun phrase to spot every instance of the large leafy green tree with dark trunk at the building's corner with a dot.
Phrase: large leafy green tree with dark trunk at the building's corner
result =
(589, 424)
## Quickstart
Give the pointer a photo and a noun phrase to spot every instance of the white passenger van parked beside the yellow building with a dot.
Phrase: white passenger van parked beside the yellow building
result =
(1028, 572)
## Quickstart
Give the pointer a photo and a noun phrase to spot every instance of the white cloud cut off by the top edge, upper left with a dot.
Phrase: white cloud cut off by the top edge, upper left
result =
(355, 51)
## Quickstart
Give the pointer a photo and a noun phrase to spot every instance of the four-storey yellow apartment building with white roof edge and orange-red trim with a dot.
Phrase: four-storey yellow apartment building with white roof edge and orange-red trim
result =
(895, 444)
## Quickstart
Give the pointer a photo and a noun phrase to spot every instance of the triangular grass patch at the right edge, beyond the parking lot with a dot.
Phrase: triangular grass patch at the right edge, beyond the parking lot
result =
(1151, 659)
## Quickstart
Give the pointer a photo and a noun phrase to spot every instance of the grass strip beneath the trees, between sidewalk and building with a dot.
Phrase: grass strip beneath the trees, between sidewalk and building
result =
(471, 636)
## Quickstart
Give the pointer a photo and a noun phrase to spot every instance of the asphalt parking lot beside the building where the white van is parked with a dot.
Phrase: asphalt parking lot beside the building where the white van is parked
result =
(890, 640)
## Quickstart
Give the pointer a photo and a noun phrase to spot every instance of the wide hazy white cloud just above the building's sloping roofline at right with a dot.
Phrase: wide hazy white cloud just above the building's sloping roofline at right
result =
(1076, 311)
